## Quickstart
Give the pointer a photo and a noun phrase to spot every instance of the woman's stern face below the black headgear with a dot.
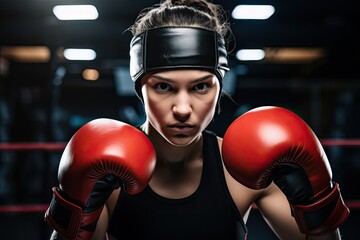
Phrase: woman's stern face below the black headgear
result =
(180, 104)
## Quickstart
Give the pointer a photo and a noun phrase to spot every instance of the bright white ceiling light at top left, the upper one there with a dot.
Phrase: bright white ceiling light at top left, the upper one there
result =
(75, 12)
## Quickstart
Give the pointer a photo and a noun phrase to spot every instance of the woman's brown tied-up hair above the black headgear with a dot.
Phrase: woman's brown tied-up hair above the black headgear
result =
(185, 13)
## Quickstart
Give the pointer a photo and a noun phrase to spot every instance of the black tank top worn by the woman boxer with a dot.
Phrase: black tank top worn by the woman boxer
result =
(207, 214)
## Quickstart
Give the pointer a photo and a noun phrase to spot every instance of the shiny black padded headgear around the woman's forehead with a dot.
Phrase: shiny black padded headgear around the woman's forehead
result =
(168, 48)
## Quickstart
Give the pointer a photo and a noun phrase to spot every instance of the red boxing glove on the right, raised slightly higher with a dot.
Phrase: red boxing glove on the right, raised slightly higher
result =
(274, 144)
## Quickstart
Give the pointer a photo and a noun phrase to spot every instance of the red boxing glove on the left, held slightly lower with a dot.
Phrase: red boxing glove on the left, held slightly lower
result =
(101, 155)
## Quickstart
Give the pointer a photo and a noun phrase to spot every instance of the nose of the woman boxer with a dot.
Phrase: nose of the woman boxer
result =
(182, 107)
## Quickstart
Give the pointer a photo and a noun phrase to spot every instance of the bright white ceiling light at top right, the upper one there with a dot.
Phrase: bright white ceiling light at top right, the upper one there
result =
(253, 12)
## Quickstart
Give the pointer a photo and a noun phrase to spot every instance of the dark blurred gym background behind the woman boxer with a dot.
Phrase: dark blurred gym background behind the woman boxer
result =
(305, 57)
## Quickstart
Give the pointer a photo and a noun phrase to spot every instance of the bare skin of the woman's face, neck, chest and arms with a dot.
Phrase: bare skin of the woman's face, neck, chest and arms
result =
(179, 105)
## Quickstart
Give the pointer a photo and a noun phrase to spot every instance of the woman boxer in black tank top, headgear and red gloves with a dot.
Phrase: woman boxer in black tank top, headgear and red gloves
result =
(202, 186)
